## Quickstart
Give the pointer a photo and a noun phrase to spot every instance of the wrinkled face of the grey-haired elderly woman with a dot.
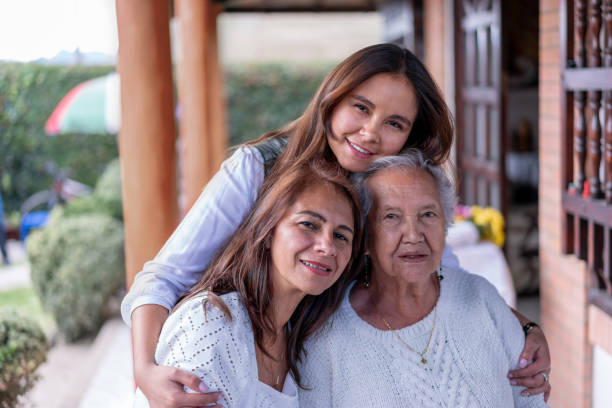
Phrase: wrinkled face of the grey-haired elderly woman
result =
(406, 224)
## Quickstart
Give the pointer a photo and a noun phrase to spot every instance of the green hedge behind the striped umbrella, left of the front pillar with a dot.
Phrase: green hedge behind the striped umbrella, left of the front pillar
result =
(28, 95)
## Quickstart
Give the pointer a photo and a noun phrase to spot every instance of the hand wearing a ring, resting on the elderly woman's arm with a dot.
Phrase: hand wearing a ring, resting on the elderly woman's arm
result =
(534, 360)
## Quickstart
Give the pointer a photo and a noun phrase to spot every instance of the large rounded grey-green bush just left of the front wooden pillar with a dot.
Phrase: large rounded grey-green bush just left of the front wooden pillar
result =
(77, 265)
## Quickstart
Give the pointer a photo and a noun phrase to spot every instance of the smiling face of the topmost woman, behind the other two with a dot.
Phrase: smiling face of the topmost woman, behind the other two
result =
(372, 121)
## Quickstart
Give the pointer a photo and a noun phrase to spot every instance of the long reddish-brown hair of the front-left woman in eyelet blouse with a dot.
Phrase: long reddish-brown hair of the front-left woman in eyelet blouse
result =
(243, 265)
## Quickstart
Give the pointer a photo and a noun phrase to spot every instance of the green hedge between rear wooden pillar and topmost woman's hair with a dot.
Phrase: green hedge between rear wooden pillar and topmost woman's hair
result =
(264, 97)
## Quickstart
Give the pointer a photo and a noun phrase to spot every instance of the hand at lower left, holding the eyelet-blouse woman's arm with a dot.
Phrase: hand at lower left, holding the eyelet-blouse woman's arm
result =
(163, 387)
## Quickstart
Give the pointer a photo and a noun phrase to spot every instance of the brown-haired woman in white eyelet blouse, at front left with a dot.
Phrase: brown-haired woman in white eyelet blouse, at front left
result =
(242, 327)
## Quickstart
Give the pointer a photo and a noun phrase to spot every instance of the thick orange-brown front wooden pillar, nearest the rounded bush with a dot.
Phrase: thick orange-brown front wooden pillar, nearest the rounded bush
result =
(147, 135)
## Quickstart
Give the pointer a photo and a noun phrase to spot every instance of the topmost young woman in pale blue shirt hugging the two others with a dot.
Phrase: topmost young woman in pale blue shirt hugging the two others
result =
(378, 102)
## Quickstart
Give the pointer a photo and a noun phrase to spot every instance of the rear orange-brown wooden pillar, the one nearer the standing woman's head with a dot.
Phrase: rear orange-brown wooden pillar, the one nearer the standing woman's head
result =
(202, 124)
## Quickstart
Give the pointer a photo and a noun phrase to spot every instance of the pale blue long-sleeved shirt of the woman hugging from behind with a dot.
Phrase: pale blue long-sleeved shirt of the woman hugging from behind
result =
(204, 231)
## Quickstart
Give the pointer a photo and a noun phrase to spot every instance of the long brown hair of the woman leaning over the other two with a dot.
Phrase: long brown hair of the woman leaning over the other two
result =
(433, 129)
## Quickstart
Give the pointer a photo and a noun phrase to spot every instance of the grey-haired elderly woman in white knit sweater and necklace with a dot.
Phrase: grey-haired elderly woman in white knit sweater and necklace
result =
(421, 335)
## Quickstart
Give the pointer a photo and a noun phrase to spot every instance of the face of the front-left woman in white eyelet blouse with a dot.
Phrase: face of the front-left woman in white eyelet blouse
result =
(312, 244)
